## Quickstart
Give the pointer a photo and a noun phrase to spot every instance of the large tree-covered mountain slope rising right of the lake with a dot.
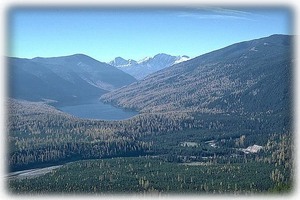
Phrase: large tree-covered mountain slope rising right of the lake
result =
(243, 78)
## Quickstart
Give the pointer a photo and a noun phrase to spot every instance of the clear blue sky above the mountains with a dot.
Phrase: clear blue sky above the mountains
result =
(136, 33)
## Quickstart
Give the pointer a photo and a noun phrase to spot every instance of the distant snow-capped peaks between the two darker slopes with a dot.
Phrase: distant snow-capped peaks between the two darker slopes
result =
(140, 69)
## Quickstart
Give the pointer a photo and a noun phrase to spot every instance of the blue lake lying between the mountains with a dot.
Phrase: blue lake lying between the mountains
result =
(98, 110)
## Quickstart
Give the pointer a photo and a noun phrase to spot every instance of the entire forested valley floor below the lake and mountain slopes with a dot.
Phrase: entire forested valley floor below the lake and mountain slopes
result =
(172, 153)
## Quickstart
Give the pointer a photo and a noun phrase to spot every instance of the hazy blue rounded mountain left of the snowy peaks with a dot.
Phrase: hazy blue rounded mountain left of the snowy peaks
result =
(64, 79)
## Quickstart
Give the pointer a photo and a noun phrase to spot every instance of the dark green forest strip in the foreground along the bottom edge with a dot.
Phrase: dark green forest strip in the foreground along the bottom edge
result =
(150, 175)
